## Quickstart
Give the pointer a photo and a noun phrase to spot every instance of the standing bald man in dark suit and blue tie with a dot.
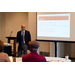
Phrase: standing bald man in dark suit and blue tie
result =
(23, 37)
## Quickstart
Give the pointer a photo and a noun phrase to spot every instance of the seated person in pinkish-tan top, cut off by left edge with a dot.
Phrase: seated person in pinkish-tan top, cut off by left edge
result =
(3, 56)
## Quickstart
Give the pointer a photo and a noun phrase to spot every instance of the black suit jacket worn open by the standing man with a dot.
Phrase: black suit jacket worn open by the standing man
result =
(27, 37)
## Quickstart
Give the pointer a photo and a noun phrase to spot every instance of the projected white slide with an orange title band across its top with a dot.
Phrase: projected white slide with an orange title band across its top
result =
(53, 25)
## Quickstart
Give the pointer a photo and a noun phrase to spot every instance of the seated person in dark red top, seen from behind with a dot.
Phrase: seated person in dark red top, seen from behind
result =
(33, 56)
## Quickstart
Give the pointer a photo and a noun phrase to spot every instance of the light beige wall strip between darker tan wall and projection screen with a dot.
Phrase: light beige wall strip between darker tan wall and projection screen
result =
(32, 24)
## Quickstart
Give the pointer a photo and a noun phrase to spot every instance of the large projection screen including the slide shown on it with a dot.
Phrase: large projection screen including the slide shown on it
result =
(56, 26)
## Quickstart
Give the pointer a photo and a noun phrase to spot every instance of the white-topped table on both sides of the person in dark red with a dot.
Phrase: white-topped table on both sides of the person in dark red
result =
(49, 59)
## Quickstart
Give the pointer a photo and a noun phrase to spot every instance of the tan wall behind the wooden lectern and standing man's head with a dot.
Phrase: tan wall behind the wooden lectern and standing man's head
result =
(12, 21)
